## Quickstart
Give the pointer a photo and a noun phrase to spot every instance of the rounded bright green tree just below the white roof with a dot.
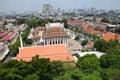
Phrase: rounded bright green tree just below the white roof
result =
(88, 63)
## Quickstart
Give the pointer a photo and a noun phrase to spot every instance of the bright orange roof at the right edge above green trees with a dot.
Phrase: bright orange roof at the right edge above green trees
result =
(108, 36)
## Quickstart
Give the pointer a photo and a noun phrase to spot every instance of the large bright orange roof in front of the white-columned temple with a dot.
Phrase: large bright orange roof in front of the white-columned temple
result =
(53, 52)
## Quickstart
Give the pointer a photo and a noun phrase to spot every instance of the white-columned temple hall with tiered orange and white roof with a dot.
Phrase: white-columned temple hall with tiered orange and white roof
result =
(55, 34)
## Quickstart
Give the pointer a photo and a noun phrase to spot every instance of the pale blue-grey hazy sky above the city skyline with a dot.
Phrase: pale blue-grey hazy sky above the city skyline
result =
(36, 5)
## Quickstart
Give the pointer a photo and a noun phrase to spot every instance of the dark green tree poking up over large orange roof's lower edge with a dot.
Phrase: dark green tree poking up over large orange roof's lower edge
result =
(42, 67)
